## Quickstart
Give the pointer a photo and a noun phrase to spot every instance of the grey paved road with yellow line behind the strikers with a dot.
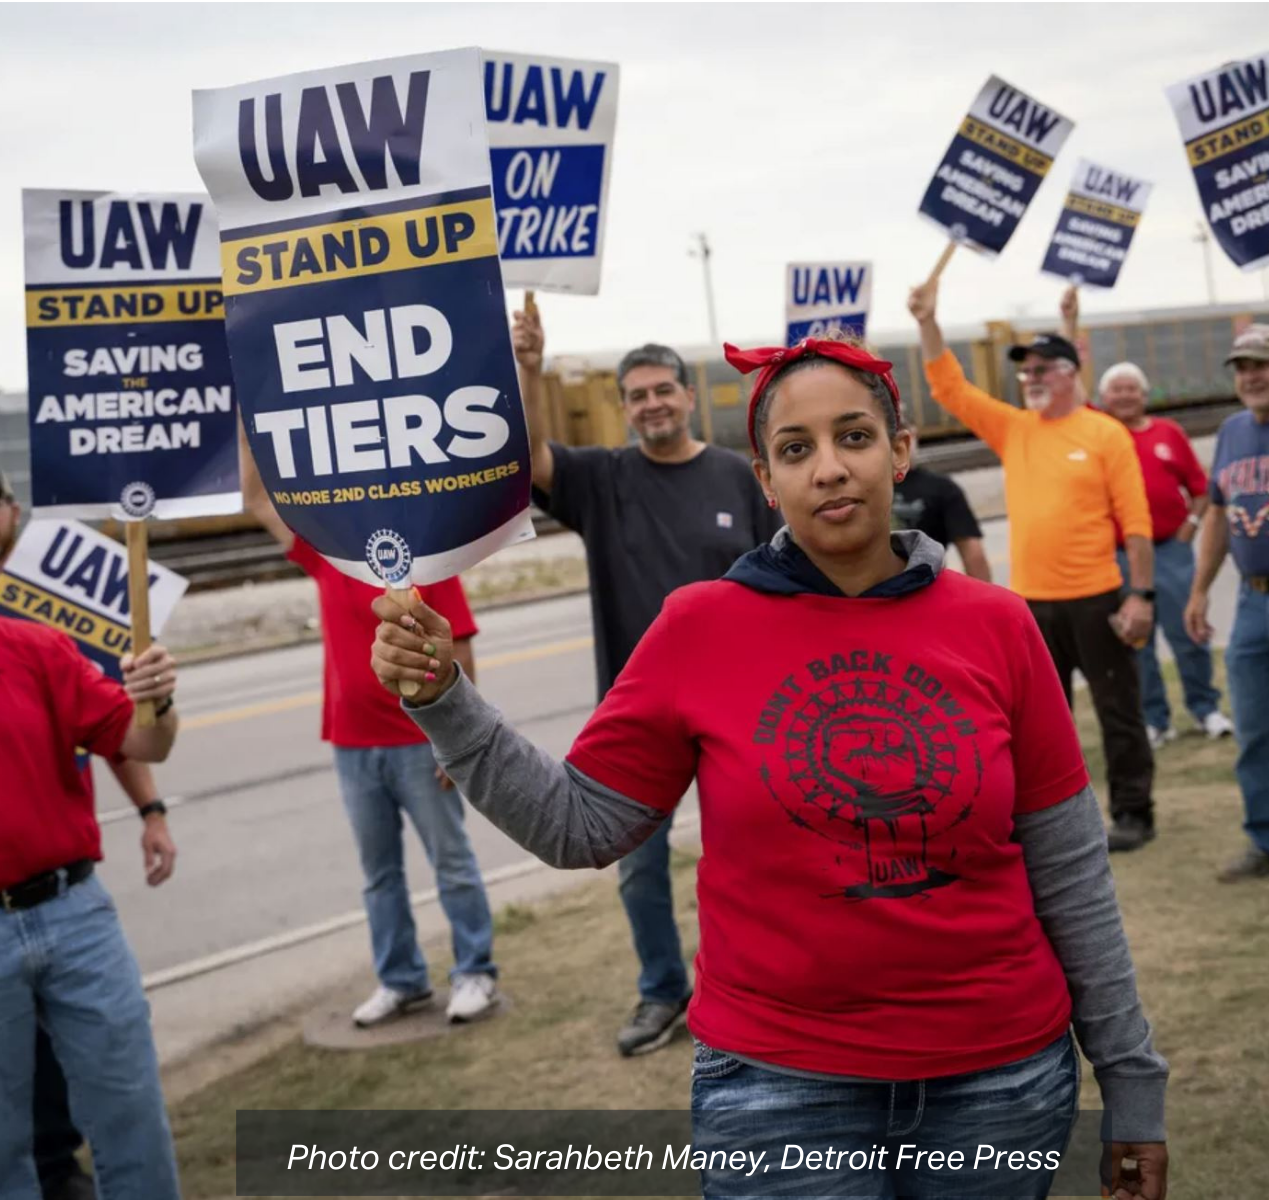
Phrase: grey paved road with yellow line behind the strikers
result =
(265, 847)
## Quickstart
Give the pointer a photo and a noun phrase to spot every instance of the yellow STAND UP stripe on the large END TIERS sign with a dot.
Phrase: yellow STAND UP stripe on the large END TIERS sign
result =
(367, 247)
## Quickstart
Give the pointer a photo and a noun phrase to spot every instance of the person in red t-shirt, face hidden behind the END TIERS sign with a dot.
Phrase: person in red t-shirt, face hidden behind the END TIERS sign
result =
(386, 769)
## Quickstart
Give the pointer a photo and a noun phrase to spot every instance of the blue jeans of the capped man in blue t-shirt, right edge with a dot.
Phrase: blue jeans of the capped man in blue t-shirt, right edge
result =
(1247, 663)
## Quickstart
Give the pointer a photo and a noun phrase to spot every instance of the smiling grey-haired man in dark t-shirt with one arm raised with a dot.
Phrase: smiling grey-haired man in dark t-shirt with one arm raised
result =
(663, 513)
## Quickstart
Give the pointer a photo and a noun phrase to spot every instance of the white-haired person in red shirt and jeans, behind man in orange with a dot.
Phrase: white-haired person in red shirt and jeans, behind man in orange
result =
(1177, 490)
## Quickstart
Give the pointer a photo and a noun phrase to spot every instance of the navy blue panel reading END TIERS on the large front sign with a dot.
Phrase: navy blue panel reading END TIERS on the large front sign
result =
(422, 437)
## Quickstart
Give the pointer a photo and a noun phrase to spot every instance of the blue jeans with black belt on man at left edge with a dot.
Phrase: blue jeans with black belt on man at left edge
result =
(67, 965)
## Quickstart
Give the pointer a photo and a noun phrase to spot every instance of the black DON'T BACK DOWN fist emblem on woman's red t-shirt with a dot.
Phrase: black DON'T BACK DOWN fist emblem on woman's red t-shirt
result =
(878, 762)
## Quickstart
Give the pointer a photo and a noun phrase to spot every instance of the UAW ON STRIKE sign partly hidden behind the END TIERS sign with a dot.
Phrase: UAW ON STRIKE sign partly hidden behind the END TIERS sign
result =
(551, 126)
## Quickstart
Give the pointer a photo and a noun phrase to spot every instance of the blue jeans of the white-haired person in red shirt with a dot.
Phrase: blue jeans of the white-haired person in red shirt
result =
(1174, 574)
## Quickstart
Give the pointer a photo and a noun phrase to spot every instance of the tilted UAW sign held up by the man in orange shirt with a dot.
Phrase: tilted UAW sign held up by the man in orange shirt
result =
(994, 167)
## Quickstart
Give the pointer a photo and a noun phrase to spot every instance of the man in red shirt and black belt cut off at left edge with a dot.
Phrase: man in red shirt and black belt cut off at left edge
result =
(65, 966)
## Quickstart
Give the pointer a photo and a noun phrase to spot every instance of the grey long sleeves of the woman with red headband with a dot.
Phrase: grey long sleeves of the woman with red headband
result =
(570, 821)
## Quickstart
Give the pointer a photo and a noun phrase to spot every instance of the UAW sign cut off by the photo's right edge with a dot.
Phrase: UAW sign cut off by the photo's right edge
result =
(1225, 124)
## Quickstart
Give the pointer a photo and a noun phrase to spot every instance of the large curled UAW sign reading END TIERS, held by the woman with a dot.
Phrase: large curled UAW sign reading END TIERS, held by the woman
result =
(366, 314)
